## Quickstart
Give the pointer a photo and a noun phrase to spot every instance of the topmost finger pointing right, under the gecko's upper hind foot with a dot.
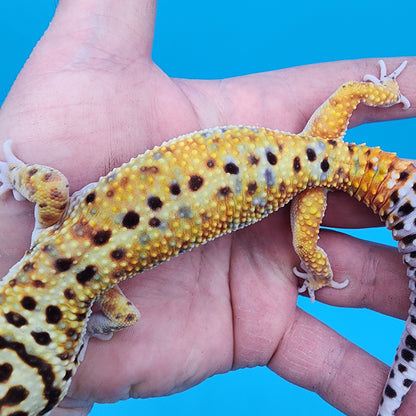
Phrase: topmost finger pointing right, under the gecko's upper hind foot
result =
(286, 99)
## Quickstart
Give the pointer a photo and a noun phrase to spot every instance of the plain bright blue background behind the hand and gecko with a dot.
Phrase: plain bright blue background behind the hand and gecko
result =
(223, 38)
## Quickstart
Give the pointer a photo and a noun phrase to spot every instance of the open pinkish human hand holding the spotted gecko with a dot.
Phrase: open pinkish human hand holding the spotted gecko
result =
(90, 98)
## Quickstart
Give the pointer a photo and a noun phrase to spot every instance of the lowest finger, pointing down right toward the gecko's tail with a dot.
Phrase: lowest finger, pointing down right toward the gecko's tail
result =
(317, 358)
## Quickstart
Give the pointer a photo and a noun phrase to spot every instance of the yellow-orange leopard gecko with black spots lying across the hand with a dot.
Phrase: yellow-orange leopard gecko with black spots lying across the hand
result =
(179, 195)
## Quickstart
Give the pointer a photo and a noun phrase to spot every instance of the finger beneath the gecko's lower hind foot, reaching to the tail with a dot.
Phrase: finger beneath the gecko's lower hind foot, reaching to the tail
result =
(376, 274)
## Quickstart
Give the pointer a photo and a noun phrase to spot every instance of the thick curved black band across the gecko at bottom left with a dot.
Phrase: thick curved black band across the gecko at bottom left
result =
(43, 368)
